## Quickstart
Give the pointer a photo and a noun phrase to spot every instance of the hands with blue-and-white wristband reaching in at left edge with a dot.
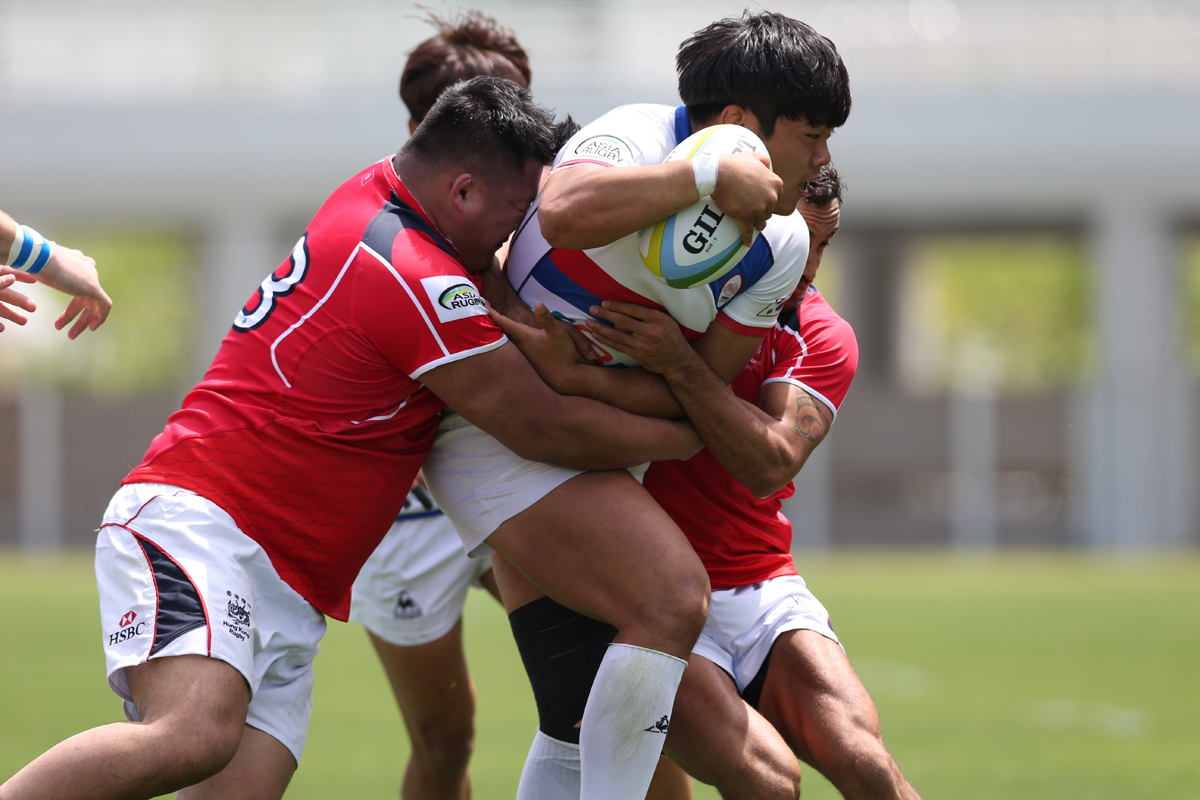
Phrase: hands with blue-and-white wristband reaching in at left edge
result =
(27, 257)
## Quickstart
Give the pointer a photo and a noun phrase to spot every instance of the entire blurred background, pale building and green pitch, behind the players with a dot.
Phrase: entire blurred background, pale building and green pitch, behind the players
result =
(1019, 255)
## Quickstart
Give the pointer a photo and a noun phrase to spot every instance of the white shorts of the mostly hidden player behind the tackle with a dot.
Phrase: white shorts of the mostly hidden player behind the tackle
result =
(412, 590)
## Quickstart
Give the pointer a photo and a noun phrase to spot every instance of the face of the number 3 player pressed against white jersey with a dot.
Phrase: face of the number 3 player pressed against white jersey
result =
(495, 214)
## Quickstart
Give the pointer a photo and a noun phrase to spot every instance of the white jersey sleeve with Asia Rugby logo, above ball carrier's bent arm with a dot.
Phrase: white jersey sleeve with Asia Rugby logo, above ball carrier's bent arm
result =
(631, 136)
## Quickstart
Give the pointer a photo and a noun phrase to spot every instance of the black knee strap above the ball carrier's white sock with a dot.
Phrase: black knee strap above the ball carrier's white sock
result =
(562, 652)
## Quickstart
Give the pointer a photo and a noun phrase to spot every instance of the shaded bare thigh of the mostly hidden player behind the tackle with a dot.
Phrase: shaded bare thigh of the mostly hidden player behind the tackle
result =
(431, 682)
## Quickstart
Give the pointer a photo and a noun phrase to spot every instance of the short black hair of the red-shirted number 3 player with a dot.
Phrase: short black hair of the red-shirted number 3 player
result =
(490, 125)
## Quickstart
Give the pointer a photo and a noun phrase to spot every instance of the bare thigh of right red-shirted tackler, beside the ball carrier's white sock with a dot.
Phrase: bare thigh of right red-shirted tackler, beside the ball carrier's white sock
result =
(721, 741)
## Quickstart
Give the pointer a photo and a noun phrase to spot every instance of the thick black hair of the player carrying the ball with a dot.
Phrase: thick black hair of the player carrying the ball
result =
(772, 65)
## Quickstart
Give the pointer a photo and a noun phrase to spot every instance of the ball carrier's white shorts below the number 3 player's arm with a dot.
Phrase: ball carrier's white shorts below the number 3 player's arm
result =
(481, 484)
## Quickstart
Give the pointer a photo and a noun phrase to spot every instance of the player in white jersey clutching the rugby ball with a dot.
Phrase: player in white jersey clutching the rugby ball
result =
(578, 246)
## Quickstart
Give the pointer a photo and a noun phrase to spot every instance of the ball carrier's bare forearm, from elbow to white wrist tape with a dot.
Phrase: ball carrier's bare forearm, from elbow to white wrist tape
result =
(590, 207)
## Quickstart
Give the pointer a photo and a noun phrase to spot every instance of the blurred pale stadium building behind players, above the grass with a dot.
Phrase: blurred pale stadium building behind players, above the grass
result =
(1018, 251)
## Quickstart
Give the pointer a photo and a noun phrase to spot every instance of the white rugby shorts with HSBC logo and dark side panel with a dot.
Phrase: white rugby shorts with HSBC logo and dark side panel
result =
(177, 578)
